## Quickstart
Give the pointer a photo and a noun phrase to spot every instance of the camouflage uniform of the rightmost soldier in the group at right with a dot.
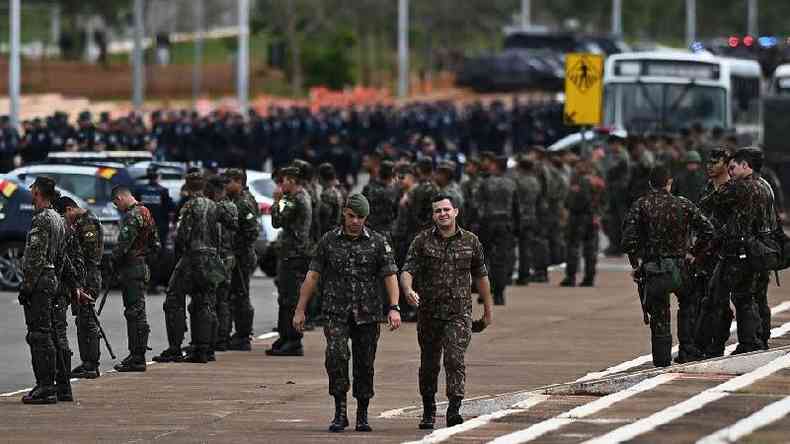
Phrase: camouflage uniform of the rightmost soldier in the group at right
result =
(750, 214)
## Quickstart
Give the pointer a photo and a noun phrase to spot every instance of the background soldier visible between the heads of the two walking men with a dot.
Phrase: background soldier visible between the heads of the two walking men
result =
(383, 197)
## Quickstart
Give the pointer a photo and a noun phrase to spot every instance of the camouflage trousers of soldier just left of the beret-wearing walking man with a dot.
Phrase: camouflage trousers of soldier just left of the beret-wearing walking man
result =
(290, 275)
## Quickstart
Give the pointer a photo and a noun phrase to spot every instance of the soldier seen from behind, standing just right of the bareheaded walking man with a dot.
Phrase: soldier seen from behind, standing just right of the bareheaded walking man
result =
(499, 216)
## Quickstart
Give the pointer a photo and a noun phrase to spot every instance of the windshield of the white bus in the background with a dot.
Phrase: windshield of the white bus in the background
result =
(641, 107)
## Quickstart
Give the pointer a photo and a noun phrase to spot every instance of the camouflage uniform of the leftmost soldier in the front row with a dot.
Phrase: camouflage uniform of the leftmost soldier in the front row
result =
(43, 259)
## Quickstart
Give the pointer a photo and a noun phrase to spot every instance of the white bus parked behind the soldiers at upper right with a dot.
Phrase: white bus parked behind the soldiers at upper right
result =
(667, 91)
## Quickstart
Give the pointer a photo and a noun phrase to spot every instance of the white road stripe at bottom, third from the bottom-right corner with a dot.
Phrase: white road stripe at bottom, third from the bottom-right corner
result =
(537, 430)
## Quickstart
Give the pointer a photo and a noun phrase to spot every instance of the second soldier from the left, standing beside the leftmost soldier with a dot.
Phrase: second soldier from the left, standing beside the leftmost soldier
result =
(88, 234)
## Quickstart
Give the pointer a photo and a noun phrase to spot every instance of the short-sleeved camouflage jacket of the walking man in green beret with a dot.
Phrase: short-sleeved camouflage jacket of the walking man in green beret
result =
(351, 271)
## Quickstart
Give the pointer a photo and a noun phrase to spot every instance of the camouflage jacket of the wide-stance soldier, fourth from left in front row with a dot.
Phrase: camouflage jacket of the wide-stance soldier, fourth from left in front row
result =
(197, 229)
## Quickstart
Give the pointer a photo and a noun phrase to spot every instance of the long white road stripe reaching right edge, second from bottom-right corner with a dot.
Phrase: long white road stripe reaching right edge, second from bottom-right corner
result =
(692, 404)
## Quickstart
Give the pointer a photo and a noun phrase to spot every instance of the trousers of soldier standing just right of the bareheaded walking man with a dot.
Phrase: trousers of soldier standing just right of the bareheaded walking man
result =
(499, 245)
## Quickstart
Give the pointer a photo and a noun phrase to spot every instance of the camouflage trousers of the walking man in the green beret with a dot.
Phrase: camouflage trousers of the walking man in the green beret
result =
(364, 340)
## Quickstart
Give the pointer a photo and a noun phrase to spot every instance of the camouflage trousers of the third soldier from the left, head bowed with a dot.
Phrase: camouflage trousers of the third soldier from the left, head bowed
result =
(134, 283)
